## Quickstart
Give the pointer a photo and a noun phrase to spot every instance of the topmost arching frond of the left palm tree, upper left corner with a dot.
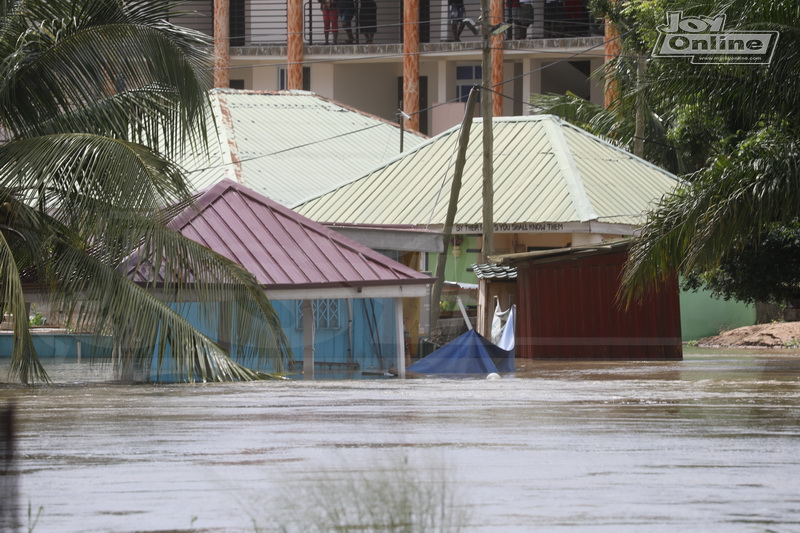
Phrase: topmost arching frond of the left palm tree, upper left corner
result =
(55, 65)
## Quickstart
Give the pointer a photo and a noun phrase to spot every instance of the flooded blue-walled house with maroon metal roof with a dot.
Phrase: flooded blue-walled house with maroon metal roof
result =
(340, 303)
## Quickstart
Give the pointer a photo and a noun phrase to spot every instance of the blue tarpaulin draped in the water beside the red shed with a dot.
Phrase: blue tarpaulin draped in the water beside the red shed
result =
(468, 354)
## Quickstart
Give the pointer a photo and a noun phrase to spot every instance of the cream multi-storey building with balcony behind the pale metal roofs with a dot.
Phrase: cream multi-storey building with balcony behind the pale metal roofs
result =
(560, 49)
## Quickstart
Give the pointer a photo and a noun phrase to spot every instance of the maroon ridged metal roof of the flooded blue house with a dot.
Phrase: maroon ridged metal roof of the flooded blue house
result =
(284, 249)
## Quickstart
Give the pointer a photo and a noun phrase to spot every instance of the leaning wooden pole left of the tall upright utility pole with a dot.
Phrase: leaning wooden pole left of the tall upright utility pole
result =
(452, 208)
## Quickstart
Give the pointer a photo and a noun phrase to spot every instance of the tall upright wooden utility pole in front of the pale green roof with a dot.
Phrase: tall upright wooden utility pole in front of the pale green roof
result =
(488, 138)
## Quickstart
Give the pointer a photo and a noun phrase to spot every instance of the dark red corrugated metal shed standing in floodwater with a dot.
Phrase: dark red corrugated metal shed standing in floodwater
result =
(566, 309)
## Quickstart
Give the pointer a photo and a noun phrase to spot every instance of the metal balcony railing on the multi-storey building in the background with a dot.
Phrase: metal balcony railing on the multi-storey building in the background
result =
(264, 22)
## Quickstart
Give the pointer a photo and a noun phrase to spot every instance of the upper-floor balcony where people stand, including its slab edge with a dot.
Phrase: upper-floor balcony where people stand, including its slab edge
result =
(259, 27)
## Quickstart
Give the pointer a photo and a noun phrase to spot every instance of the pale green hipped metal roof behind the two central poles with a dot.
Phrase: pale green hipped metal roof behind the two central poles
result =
(545, 171)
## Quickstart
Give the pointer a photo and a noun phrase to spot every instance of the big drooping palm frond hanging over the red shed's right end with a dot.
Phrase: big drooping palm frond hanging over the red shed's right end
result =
(737, 196)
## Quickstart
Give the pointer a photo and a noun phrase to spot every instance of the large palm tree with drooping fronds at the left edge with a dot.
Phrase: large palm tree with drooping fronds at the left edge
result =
(96, 98)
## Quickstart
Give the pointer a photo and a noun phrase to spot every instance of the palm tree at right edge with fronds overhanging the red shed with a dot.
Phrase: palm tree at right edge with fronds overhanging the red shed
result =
(751, 180)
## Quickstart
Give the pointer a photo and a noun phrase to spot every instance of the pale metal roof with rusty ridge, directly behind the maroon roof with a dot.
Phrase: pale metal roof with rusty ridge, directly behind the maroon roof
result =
(292, 145)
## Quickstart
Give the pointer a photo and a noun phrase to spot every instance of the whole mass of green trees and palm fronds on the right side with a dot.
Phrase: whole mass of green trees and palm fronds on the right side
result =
(732, 130)
